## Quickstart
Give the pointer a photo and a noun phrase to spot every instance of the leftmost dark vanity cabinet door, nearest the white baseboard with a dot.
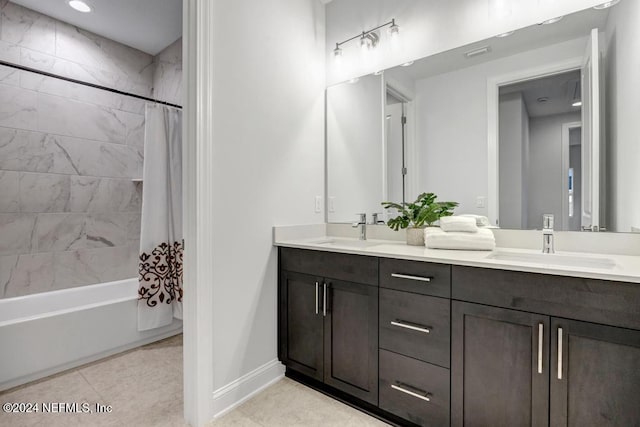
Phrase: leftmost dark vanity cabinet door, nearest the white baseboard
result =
(301, 323)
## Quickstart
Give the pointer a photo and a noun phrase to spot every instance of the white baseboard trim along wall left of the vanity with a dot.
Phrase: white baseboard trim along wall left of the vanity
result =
(237, 392)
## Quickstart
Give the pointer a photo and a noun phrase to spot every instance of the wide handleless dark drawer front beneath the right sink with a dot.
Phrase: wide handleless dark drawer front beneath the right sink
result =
(592, 300)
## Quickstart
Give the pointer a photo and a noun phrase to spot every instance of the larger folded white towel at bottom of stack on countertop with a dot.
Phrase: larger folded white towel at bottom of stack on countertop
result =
(436, 238)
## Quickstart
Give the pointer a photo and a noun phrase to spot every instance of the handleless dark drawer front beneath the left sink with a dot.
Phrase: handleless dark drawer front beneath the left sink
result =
(350, 268)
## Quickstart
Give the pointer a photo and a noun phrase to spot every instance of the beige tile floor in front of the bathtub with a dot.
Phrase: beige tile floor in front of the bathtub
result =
(144, 387)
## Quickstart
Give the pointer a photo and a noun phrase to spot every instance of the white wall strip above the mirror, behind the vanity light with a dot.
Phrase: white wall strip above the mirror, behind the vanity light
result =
(427, 27)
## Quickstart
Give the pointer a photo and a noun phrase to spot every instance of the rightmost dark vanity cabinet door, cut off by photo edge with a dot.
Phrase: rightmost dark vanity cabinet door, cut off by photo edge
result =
(595, 375)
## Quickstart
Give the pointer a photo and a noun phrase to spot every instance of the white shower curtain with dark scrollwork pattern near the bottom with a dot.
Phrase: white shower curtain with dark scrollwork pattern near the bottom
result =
(161, 241)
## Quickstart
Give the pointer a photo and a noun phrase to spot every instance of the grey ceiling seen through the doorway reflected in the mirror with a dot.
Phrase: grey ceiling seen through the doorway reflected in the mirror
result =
(559, 90)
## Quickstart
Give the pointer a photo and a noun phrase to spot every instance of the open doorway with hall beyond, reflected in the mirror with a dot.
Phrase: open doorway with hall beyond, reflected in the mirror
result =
(539, 149)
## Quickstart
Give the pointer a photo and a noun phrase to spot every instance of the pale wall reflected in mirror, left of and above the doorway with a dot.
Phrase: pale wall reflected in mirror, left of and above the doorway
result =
(451, 120)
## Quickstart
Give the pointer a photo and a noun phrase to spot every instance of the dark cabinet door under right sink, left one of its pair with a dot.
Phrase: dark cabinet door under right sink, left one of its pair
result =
(499, 367)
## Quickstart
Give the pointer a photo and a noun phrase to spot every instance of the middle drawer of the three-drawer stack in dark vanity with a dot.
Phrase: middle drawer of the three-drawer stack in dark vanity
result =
(415, 325)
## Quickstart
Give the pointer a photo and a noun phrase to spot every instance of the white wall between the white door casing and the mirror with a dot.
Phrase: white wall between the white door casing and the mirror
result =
(268, 164)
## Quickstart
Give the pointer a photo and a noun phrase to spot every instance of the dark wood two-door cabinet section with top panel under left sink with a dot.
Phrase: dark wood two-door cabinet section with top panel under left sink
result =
(328, 328)
